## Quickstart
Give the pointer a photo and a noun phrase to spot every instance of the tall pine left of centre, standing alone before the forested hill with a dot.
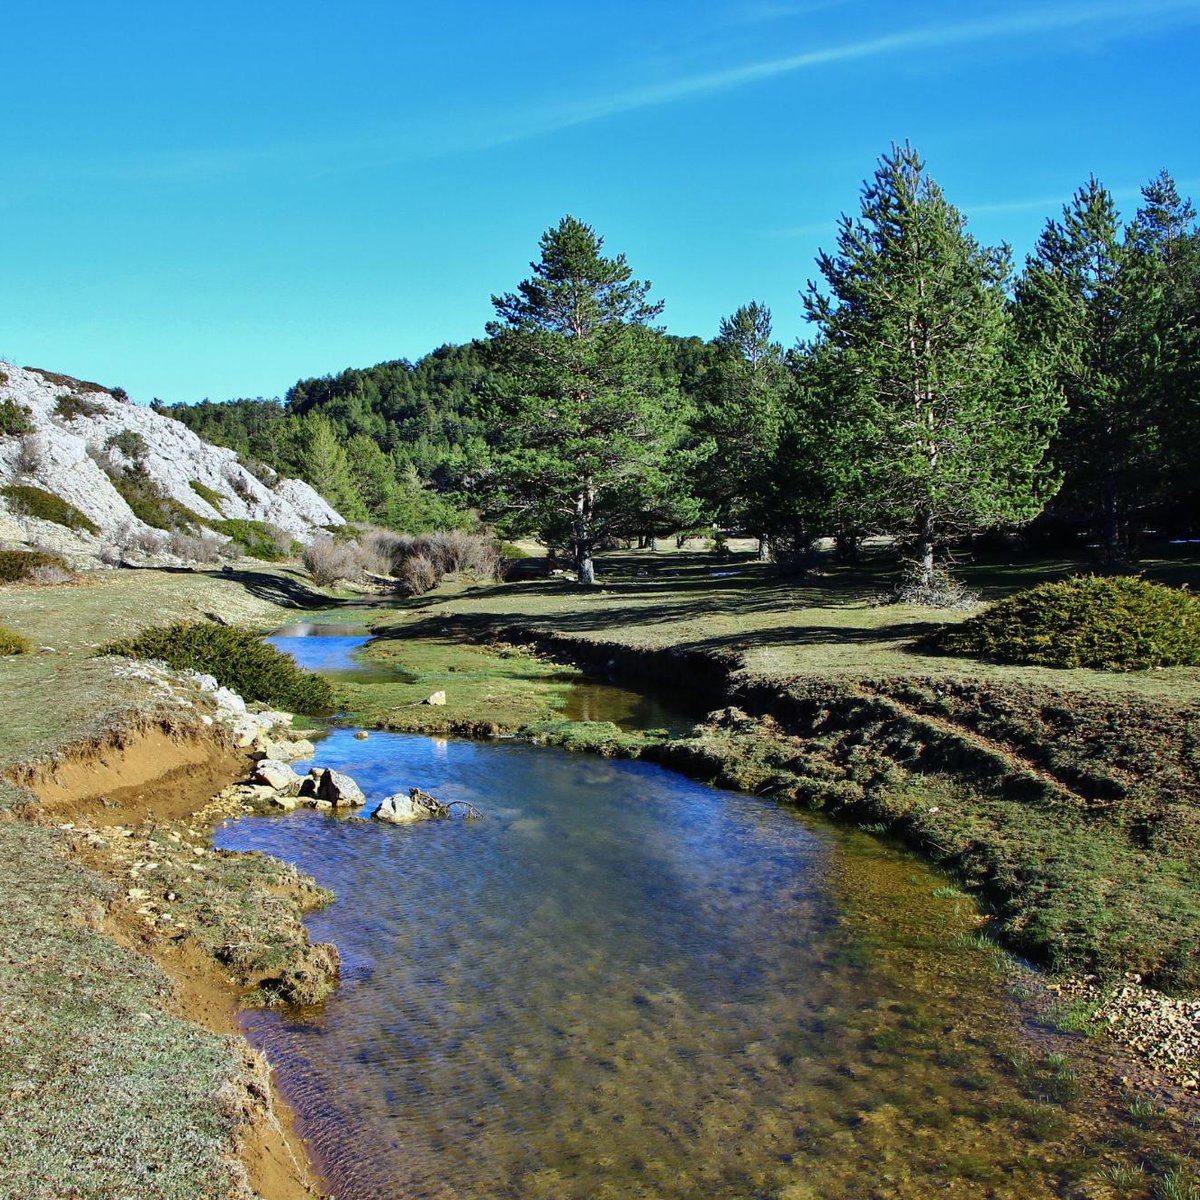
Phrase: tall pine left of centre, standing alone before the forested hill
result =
(583, 405)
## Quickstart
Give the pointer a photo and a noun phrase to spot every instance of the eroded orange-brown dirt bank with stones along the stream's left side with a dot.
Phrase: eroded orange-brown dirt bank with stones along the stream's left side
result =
(137, 807)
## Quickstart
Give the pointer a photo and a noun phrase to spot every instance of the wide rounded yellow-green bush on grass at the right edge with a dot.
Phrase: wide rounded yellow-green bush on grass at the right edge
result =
(1115, 625)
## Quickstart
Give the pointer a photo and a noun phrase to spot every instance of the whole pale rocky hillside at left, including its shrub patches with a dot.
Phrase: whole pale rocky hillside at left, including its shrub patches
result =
(86, 473)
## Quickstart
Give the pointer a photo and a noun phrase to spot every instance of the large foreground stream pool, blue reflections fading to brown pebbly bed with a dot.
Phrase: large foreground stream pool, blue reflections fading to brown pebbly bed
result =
(625, 985)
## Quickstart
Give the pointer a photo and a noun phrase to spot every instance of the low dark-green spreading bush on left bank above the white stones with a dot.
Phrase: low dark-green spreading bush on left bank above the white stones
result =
(238, 658)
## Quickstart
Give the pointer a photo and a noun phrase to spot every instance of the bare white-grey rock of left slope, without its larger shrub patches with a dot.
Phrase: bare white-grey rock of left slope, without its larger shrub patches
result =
(75, 429)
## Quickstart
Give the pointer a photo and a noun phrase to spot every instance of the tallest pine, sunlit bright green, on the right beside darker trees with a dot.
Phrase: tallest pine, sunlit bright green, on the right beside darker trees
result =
(915, 316)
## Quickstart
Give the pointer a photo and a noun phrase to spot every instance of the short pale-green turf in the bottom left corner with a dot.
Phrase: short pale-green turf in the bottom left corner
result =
(105, 1094)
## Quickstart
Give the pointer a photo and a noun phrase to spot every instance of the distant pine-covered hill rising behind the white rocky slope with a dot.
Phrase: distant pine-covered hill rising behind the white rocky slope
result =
(410, 433)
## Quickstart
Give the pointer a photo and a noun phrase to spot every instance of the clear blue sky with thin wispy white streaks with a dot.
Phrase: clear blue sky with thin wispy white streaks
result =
(217, 200)
